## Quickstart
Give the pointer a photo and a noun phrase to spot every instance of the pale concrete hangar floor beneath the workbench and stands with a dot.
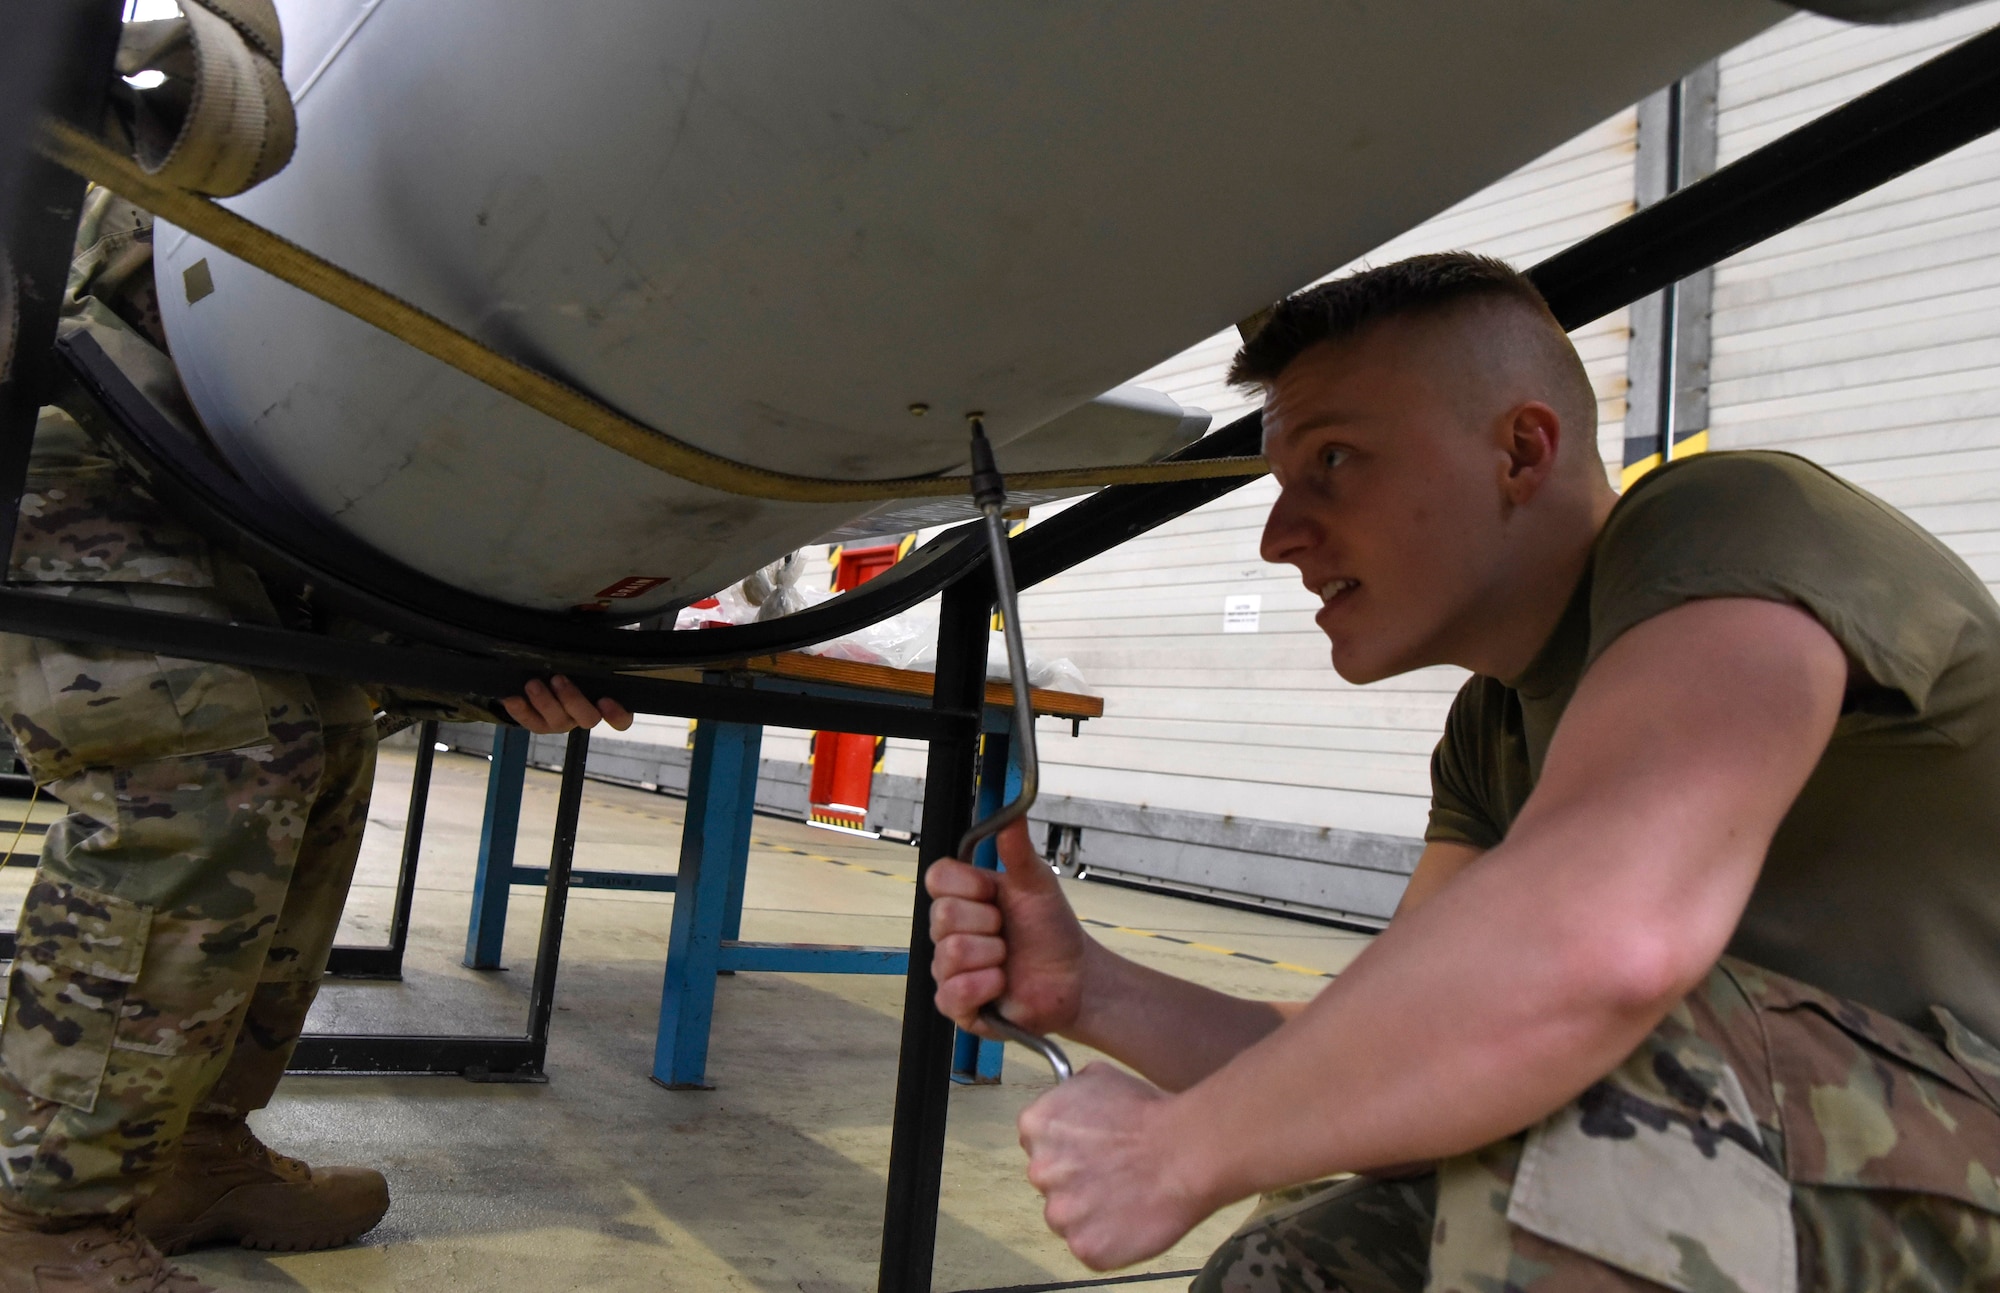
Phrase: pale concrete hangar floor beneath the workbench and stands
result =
(603, 1180)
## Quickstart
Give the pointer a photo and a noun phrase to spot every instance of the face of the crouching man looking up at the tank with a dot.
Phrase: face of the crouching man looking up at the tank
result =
(1391, 499)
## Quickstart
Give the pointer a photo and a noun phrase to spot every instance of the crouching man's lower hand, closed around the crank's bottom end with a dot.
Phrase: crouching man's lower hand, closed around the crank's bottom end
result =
(1103, 1152)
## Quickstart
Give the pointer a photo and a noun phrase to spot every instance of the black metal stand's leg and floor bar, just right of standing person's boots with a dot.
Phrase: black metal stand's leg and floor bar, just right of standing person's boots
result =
(493, 1060)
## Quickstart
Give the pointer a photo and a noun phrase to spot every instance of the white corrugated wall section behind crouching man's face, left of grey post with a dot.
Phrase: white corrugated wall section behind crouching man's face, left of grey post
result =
(1259, 726)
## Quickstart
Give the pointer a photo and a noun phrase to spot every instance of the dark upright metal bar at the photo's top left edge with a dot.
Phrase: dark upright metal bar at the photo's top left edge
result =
(49, 203)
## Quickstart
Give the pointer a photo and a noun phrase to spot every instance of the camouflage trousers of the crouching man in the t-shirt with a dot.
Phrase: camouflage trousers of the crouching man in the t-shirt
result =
(1765, 1140)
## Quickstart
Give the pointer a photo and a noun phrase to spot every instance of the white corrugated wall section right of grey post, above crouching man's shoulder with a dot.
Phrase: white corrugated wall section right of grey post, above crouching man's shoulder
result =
(1869, 339)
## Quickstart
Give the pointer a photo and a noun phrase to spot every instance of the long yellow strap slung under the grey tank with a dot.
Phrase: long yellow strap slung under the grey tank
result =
(575, 409)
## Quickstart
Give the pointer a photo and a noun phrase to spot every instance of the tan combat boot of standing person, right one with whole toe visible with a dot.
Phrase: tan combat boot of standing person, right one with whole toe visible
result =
(229, 1188)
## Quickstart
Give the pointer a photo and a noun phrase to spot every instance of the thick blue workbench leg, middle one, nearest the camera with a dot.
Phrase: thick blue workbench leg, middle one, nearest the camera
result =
(713, 846)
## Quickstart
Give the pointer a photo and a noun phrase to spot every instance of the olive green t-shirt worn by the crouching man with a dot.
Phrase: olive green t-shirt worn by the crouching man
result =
(1883, 882)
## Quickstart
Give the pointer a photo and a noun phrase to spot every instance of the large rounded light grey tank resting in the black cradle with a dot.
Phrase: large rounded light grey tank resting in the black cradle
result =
(775, 227)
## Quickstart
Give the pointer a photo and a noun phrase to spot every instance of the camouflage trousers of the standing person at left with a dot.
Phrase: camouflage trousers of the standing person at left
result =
(183, 914)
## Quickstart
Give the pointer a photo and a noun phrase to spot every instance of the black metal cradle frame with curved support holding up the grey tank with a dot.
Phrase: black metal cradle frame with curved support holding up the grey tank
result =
(1881, 135)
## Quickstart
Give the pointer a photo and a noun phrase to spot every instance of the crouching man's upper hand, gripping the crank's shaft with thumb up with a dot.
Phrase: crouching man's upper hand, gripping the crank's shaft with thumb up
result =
(1007, 936)
